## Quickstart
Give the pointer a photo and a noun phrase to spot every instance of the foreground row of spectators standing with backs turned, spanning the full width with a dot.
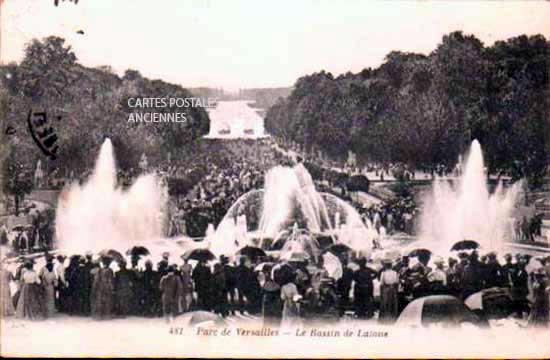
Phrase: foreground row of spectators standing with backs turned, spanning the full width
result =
(280, 292)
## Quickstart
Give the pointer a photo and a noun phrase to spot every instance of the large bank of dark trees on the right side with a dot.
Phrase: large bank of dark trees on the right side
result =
(425, 110)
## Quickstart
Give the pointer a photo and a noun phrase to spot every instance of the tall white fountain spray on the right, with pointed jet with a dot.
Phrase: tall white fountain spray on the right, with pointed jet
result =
(467, 210)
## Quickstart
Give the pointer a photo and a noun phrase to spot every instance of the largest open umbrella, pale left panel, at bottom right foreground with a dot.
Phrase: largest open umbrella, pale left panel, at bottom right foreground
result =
(437, 309)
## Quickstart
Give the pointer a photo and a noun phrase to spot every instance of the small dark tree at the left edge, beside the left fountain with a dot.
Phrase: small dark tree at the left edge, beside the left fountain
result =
(18, 180)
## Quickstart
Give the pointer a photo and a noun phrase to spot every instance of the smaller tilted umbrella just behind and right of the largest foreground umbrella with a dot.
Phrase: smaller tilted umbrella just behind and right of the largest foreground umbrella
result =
(495, 303)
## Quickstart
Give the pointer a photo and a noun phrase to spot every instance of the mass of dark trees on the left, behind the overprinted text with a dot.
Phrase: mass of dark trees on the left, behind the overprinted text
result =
(92, 104)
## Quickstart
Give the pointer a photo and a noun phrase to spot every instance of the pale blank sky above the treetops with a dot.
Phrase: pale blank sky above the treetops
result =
(253, 43)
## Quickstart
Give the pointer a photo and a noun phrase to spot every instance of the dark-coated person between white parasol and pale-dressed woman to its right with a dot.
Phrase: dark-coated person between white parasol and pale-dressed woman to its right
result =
(364, 290)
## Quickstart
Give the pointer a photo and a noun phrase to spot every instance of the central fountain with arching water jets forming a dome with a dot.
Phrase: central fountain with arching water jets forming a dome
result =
(289, 198)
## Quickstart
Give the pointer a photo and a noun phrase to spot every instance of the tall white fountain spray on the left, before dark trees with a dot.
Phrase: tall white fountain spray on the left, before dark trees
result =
(99, 215)
